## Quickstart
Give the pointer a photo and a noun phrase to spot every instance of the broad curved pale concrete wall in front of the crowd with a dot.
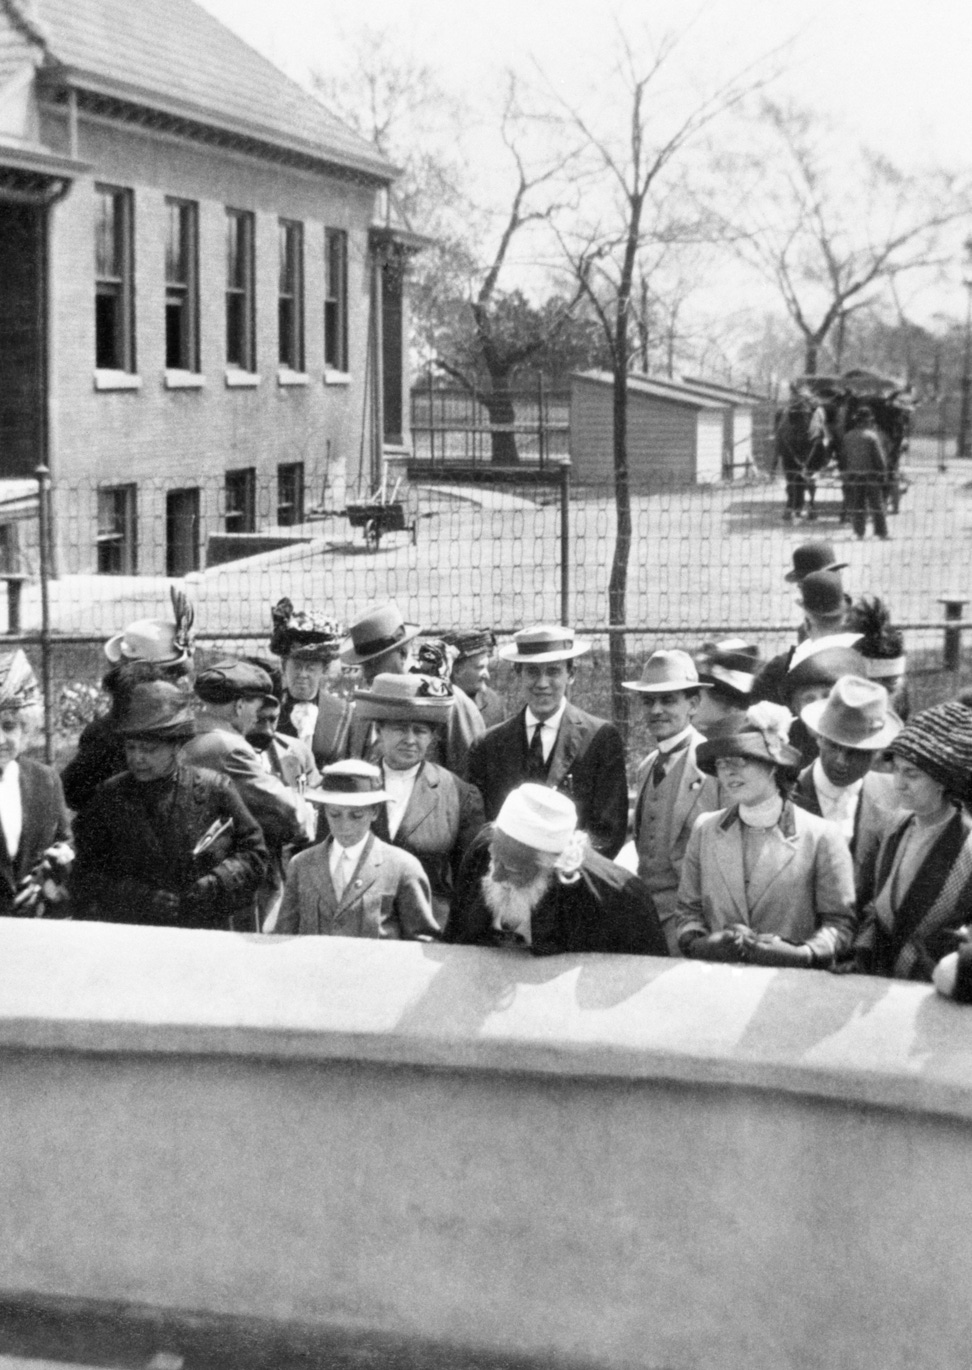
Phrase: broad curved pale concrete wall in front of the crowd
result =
(612, 1161)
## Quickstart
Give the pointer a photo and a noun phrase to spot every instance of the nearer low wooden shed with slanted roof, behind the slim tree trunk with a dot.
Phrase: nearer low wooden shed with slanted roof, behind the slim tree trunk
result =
(677, 435)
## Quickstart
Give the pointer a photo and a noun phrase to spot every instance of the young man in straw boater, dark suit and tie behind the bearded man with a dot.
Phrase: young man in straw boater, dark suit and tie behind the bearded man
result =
(555, 743)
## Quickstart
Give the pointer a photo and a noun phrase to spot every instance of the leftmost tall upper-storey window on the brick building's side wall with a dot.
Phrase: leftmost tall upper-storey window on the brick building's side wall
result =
(114, 264)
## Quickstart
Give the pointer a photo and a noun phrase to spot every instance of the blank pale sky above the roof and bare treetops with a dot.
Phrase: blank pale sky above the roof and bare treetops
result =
(897, 76)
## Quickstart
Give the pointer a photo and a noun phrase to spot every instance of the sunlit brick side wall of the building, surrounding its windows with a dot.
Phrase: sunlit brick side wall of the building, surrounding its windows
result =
(167, 439)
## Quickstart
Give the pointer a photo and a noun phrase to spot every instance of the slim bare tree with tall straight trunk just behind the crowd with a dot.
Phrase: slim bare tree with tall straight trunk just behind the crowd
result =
(634, 161)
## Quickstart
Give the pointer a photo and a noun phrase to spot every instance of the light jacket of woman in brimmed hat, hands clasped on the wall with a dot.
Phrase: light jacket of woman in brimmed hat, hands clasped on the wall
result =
(803, 888)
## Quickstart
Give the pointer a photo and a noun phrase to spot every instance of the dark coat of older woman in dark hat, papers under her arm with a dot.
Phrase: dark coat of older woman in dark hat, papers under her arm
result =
(135, 851)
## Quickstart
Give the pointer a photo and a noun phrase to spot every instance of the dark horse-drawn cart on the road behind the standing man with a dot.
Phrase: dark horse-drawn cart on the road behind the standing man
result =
(808, 442)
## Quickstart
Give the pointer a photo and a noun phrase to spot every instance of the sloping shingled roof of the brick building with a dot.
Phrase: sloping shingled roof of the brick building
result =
(173, 57)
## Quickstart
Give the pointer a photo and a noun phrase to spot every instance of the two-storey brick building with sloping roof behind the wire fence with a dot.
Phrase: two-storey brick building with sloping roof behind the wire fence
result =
(201, 306)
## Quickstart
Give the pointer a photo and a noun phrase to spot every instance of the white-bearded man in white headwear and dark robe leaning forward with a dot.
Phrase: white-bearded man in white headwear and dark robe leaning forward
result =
(531, 882)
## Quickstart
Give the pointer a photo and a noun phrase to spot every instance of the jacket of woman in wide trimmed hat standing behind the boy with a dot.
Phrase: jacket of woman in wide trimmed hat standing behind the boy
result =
(441, 821)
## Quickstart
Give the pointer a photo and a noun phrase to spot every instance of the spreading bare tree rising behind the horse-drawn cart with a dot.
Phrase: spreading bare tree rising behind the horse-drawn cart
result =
(831, 234)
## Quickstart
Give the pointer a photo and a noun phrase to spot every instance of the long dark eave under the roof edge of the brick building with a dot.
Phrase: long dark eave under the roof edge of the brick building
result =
(147, 110)
